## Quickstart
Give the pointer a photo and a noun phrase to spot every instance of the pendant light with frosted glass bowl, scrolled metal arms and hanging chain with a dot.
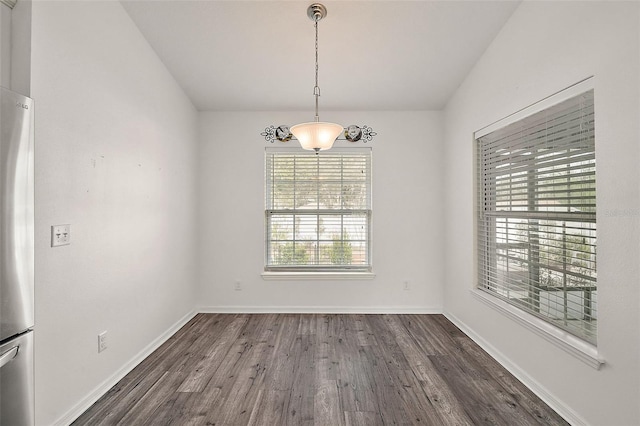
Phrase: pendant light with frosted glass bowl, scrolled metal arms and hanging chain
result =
(317, 135)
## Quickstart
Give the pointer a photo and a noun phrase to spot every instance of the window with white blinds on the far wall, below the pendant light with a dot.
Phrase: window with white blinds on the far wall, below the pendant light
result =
(318, 210)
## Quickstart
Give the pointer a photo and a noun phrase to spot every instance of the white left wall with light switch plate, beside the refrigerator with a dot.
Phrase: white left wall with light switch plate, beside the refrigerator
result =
(115, 158)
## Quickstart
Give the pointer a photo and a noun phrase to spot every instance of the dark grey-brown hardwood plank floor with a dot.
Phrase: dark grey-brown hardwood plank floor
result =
(285, 369)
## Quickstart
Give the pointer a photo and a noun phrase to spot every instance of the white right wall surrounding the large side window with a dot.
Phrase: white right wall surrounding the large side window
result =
(545, 47)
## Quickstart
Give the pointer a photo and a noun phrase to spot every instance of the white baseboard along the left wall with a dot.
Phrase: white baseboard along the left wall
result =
(82, 406)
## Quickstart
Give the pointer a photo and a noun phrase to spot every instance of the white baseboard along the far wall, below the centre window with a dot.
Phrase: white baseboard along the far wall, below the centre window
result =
(321, 309)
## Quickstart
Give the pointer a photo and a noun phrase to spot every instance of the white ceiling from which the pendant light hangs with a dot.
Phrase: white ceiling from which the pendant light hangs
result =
(374, 55)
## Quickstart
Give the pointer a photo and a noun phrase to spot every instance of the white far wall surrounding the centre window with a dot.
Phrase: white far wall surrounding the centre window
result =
(407, 217)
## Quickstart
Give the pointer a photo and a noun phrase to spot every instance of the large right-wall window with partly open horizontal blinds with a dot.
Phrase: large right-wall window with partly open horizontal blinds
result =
(536, 214)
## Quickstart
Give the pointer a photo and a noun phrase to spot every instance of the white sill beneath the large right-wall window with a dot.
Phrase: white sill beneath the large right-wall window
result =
(571, 344)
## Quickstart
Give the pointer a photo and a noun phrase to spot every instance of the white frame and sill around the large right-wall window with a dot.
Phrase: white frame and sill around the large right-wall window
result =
(576, 346)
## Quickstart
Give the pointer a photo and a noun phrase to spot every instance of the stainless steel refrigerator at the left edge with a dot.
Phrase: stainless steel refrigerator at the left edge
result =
(16, 260)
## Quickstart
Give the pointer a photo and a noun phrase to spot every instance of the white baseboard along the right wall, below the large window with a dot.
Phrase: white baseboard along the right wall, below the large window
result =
(569, 415)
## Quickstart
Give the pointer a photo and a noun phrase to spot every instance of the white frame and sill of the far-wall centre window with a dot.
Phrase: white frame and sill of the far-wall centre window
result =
(316, 272)
